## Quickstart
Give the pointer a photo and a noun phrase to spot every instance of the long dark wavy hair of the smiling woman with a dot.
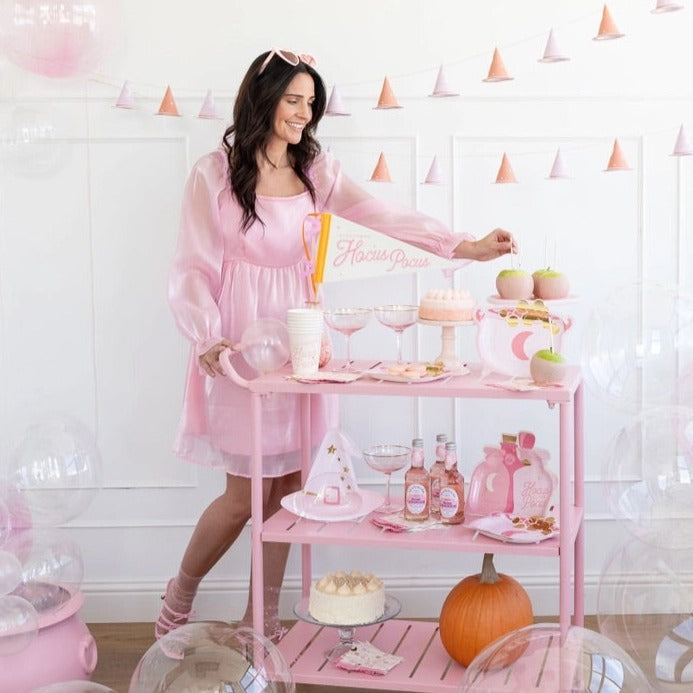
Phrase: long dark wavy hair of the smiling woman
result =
(251, 129)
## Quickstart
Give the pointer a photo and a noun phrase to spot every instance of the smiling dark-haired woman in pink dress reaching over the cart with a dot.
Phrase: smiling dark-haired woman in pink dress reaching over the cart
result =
(239, 258)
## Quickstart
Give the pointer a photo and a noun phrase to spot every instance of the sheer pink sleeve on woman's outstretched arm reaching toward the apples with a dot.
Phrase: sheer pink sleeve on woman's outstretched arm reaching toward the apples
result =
(340, 195)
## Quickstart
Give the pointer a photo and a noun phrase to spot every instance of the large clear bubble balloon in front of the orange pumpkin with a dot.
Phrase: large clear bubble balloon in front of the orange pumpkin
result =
(542, 660)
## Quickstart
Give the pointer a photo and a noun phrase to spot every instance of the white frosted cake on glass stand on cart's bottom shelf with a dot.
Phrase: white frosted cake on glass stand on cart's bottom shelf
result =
(347, 598)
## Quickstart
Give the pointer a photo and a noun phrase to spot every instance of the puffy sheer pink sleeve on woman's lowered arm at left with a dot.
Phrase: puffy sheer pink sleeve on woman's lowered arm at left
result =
(195, 275)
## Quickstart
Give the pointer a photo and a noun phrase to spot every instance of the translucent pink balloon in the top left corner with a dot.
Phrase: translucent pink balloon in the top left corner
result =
(55, 39)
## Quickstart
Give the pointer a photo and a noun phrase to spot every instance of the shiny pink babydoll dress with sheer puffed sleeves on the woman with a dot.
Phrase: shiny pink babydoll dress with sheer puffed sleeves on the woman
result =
(222, 280)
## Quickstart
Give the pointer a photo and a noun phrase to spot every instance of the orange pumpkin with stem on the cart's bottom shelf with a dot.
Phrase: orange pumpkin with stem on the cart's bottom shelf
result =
(480, 609)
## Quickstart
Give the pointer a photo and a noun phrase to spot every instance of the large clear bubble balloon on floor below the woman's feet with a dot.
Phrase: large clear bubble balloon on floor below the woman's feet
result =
(212, 656)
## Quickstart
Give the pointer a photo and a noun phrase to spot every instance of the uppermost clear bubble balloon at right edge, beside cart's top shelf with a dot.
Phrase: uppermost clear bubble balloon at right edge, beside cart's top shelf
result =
(638, 347)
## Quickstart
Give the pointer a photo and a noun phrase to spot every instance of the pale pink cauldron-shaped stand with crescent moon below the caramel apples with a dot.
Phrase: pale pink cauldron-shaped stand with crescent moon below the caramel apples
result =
(508, 337)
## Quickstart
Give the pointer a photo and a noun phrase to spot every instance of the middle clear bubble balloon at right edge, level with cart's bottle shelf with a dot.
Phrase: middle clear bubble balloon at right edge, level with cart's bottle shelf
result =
(647, 476)
